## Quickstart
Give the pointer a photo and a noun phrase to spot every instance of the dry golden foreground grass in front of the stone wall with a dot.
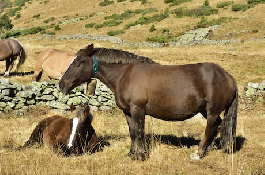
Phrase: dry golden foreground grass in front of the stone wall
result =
(170, 144)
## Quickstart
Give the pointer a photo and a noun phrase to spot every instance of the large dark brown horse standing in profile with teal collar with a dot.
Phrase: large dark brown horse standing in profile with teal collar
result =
(168, 92)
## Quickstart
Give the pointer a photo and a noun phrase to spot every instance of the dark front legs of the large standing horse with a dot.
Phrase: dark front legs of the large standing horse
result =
(136, 122)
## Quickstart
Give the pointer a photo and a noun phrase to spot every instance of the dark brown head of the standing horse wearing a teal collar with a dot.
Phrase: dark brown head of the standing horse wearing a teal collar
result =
(78, 71)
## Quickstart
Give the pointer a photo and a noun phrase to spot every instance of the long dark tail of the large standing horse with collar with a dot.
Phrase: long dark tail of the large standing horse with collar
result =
(228, 127)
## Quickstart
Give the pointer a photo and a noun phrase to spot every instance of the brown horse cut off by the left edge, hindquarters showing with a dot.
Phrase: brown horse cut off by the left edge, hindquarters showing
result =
(10, 50)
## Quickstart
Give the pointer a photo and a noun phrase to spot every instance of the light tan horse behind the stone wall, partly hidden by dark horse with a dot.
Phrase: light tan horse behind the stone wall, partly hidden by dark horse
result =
(54, 63)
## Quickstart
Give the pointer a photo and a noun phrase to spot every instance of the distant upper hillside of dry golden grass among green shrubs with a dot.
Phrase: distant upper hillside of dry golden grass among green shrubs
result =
(72, 18)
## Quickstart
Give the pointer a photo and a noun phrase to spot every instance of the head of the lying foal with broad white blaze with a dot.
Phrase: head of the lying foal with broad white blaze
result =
(80, 125)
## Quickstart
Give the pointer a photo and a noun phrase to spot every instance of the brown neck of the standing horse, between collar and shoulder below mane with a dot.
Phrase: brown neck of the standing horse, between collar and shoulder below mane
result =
(110, 74)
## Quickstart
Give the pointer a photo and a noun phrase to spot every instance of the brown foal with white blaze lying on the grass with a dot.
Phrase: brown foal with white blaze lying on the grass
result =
(65, 135)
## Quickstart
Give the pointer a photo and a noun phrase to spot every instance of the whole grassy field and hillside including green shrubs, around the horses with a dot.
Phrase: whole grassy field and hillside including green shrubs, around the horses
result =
(37, 25)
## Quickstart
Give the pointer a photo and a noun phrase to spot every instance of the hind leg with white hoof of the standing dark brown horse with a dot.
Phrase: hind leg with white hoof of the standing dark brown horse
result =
(213, 123)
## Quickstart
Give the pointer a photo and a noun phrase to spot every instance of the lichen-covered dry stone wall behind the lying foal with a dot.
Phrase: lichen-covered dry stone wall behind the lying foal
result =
(18, 97)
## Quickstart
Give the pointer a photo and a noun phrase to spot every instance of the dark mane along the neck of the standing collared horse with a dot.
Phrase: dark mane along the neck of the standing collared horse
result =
(114, 56)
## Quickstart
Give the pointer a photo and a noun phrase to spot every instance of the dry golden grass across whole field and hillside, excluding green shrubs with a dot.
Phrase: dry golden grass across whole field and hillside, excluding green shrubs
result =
(244, 61)
